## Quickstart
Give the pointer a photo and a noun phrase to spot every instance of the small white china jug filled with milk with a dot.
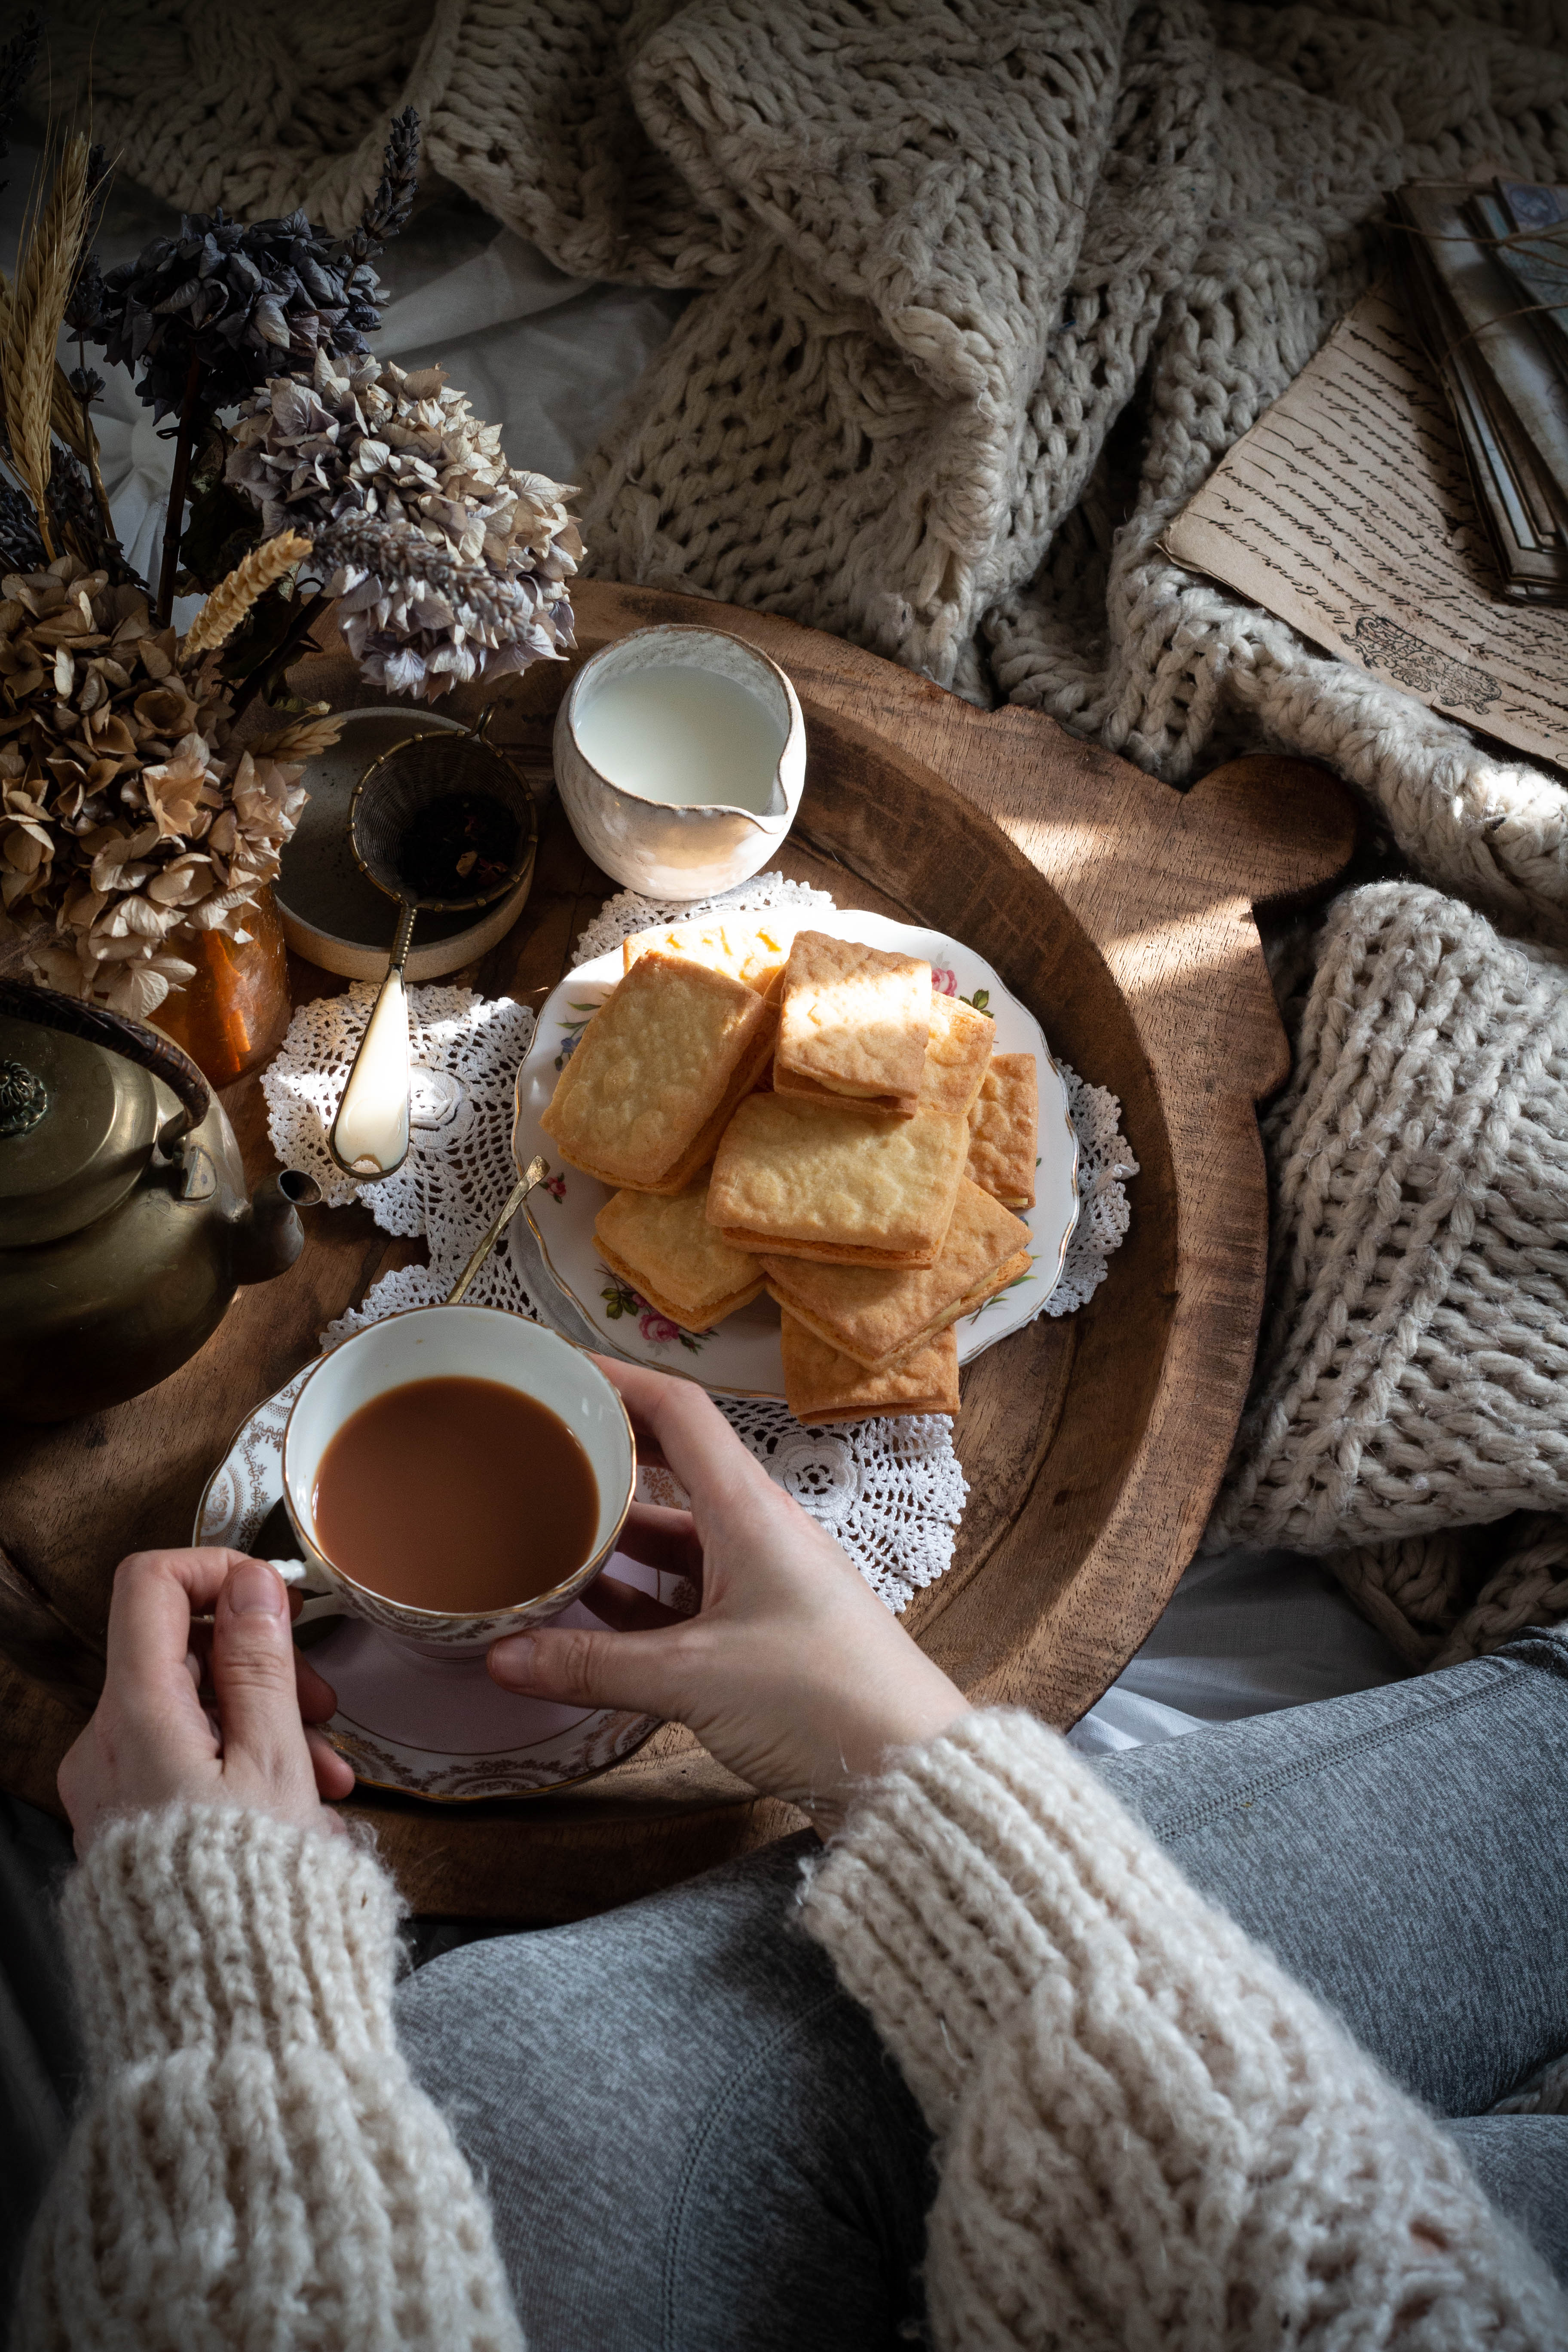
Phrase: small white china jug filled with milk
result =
(699, 796)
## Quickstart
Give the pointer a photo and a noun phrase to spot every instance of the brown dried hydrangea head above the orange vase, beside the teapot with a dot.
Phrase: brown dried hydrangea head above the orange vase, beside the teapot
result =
(126, 808)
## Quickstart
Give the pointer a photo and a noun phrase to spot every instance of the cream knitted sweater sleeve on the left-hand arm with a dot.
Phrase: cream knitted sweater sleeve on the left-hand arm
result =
(253, 2163)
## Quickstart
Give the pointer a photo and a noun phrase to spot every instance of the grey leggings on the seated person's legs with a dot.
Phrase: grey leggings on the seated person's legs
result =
(695, 2144)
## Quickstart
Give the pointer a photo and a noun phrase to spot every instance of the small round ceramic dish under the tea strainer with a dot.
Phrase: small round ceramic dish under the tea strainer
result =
(330, 911)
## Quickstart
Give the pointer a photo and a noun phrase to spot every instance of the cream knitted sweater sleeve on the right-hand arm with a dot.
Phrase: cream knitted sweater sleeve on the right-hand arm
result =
(1148, 2134)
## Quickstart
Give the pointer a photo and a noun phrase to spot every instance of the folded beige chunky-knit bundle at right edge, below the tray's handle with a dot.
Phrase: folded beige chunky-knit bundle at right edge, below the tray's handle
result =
(1414, 1365)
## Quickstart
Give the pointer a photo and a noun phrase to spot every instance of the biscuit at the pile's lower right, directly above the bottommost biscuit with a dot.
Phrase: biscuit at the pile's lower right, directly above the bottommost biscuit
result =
(876, 1314)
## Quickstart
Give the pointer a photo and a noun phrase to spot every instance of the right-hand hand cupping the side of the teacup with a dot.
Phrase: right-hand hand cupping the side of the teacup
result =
(793, 1673)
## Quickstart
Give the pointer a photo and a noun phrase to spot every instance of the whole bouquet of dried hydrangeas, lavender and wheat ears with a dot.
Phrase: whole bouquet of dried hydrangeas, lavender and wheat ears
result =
(133, 813)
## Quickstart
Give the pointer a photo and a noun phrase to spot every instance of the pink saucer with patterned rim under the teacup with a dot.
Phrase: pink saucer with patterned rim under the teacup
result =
(408, 1718)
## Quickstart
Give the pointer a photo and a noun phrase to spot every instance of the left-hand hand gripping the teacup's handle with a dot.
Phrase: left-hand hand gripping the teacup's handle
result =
(152, 1739)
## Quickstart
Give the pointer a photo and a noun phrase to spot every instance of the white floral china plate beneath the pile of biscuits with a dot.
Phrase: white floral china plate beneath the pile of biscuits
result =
(742, 1356)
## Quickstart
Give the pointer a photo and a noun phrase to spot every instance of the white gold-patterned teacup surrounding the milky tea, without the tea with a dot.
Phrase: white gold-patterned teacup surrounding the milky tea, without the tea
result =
(476, 1344)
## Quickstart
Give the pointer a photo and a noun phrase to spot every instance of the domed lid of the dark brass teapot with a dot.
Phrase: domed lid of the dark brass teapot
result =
(76, 1132)
